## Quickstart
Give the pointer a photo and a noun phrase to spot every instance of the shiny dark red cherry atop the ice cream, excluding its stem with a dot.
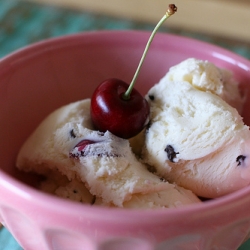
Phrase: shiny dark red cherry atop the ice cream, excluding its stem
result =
(111, 111)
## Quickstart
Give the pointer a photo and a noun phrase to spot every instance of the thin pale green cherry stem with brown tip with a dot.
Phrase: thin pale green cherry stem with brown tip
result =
(171, 10)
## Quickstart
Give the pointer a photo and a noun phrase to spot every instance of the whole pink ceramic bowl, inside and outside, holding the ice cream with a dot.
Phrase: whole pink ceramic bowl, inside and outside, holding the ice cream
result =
(40, 78)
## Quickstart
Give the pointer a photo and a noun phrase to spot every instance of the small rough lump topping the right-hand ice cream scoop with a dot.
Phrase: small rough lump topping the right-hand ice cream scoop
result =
(205, 76)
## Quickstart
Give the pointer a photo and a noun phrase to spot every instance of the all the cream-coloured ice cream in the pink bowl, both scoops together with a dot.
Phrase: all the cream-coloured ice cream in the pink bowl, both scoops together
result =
(195, 143)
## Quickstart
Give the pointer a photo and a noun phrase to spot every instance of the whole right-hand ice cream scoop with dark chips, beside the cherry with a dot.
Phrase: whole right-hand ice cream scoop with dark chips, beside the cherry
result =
(195, 138)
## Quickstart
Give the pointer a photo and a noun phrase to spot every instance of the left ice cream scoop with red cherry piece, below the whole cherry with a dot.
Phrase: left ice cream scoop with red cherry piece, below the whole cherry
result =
(106, 171)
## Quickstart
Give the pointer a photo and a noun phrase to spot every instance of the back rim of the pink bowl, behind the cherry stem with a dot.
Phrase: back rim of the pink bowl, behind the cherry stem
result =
(221, 53)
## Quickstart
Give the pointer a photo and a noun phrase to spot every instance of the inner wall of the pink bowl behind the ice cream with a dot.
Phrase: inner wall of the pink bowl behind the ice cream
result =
(40, 78)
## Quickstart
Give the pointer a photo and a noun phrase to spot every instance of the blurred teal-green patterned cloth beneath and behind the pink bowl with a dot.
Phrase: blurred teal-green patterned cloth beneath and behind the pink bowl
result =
(23, 23)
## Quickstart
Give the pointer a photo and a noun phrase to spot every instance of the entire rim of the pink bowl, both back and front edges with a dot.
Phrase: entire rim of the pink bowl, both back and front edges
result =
(33, 196)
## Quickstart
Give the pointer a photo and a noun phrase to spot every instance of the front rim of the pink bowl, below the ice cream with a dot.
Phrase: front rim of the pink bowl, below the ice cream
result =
(51, 203)
